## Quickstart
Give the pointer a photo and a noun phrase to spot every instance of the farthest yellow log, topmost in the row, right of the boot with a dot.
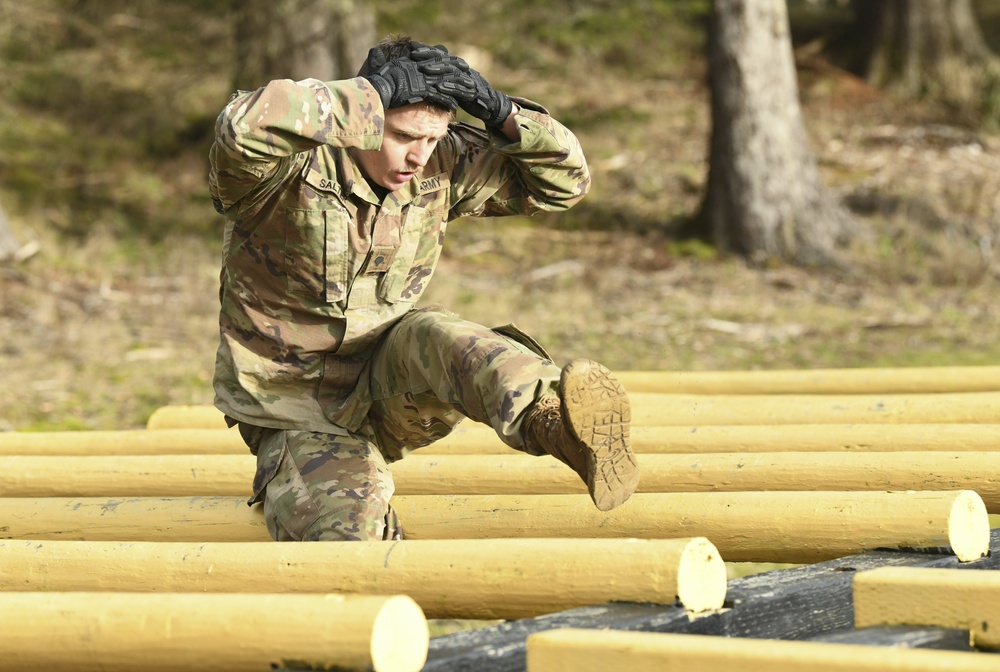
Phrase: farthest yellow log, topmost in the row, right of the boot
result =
(906, 380)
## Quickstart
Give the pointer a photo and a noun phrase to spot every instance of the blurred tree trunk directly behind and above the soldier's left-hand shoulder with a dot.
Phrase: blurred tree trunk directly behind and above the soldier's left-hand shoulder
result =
(296, 39)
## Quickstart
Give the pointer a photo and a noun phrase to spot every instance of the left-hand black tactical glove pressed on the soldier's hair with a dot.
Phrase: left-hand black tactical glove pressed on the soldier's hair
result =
(403, 81)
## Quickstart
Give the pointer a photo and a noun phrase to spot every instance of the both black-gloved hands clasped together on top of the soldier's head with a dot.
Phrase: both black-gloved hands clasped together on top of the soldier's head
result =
(433, 75)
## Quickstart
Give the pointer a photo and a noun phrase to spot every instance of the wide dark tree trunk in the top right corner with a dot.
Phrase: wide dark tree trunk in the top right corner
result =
(931, 50)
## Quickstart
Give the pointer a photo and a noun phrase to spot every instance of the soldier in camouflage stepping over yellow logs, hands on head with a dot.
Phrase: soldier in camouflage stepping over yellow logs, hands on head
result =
(337, 196)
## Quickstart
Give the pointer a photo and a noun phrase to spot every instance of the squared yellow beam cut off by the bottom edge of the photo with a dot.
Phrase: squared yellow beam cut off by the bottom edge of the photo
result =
(601, 650)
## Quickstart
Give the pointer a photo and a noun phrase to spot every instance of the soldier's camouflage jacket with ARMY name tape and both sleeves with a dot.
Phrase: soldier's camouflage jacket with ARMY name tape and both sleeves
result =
(316, 268)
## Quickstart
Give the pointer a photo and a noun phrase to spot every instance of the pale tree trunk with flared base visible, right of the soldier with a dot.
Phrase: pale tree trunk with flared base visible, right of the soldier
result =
(765, 199)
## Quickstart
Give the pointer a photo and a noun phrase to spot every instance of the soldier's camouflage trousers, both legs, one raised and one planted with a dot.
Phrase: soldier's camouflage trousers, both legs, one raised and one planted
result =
(430, 371)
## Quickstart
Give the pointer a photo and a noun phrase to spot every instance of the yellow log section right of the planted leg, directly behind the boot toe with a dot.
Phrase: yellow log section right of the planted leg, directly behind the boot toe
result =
(711, 472)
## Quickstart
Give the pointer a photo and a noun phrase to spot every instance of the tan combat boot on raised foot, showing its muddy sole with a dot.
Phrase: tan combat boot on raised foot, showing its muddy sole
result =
(587, 427)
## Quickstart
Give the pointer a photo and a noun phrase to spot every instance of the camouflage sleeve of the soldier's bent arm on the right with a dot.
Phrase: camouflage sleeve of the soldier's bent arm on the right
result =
(545, 171)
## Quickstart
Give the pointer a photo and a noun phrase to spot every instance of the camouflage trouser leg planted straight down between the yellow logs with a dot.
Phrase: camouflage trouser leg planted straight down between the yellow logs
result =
(323, 487)
